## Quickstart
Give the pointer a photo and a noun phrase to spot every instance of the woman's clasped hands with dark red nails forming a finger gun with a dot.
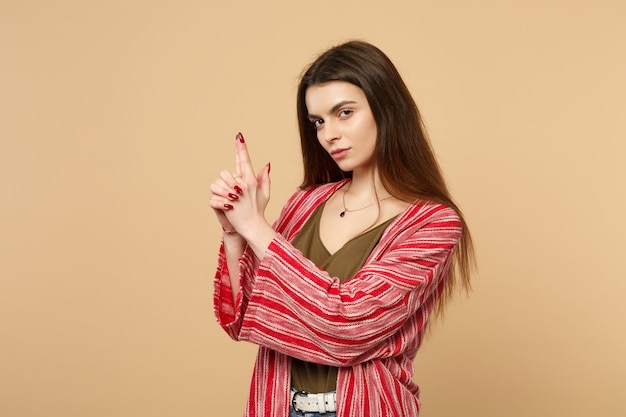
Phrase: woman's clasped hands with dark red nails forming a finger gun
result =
(239, 199)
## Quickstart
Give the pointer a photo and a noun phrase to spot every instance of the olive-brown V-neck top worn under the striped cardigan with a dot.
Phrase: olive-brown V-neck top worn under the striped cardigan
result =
(343, 264)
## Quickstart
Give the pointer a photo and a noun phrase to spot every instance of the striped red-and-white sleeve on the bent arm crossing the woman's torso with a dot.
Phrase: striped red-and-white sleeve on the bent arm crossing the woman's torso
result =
(299, 310)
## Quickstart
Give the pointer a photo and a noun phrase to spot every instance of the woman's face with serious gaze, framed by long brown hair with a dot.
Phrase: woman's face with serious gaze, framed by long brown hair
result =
(346, 128)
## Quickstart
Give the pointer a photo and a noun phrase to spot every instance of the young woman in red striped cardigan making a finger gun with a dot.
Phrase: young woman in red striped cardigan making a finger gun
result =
(338, 292)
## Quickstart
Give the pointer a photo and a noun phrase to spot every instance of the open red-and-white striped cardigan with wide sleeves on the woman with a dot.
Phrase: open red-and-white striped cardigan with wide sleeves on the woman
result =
(370, 326)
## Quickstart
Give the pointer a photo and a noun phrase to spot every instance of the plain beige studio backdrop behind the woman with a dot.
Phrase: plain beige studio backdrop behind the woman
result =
(115, 116)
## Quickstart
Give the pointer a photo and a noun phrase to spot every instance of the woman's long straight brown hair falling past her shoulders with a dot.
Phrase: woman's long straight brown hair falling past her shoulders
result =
(403, 155)
